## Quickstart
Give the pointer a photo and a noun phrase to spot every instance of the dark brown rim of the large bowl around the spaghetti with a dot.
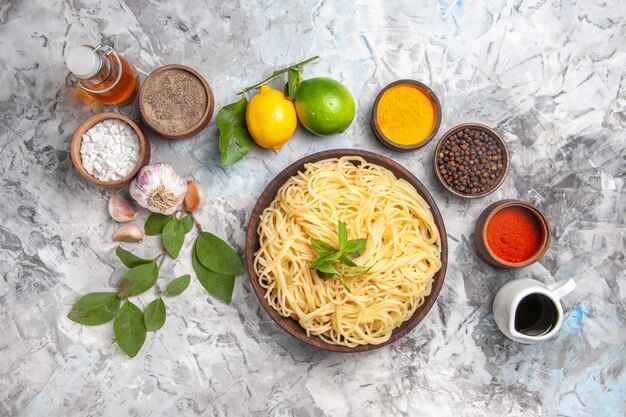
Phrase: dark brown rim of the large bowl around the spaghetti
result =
(252, 241)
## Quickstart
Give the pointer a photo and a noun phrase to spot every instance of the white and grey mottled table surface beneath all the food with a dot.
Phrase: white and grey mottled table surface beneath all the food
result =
(548, 75)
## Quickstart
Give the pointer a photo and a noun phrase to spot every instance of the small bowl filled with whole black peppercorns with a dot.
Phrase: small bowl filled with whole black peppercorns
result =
(471, 160)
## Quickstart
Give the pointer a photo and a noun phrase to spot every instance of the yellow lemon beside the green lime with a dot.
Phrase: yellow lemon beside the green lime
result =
(271, 118)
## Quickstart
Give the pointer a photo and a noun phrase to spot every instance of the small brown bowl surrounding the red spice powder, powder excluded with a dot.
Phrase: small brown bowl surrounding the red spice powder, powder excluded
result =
(480, 233)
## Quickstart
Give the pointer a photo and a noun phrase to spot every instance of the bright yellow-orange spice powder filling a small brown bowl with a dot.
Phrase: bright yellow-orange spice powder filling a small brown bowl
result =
(406, 114)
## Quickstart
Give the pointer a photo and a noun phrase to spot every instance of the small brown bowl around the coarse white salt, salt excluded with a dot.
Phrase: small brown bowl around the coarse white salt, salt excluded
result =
(77, 139)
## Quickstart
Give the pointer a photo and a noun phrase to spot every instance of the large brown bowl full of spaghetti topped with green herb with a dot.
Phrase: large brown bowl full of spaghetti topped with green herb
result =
(401, 262)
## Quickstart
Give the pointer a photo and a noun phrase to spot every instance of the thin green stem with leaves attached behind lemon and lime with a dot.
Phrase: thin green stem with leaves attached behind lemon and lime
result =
(235, 140)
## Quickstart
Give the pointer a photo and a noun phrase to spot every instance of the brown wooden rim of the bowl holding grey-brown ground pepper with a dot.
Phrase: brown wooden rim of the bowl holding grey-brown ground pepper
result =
(206, 116)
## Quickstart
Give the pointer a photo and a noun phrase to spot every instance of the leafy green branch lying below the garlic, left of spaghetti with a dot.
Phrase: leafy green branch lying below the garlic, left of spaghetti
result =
(215, 263)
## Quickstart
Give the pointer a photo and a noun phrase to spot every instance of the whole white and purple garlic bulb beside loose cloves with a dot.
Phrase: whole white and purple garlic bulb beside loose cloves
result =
(158, 188)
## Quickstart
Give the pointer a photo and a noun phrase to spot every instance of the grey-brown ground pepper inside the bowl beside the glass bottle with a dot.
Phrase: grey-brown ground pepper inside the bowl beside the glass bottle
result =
(175, 101)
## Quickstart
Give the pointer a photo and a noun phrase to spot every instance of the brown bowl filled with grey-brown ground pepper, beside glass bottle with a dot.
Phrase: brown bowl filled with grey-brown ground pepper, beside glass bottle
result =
(176, 101)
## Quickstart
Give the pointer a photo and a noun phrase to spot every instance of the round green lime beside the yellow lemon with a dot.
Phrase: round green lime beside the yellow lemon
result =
(324, 106)
